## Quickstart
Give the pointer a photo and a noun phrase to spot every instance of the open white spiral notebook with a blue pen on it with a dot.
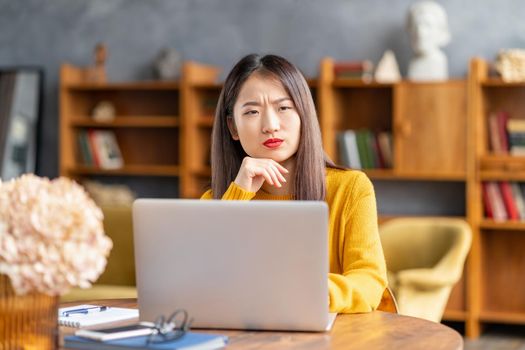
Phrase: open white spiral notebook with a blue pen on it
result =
(111, 314)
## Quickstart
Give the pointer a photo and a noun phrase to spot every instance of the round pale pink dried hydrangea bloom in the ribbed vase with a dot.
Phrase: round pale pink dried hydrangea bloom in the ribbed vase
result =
(51, 235)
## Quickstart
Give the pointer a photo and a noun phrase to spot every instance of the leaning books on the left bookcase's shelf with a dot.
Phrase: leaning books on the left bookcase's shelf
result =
(99, 148)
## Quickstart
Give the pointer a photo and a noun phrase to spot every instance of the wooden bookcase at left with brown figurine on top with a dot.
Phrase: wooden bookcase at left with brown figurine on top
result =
(149, 123)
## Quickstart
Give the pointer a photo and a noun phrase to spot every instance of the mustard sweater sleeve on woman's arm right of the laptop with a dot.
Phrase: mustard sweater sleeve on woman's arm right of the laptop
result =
(360, 286)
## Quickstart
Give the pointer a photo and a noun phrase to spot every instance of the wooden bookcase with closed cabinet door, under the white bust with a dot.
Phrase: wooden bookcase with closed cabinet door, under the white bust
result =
(428, 122)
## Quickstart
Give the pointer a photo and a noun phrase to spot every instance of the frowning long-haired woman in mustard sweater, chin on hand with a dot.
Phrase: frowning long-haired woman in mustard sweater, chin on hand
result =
(266, 145)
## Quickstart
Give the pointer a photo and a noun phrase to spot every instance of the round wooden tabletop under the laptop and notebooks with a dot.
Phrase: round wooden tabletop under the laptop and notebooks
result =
(358, 331)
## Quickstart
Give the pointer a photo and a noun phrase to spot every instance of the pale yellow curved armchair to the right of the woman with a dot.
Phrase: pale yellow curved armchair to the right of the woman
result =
(425, 258)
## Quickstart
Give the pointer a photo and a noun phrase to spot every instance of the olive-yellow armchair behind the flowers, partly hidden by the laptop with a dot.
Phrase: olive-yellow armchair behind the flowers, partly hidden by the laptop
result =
(118, 279)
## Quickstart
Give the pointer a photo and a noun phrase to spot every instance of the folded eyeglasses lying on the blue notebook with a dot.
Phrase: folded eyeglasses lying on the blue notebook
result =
(172, 328)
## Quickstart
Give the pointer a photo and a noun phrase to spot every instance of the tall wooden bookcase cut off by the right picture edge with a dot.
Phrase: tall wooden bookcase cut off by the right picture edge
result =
(496, 264)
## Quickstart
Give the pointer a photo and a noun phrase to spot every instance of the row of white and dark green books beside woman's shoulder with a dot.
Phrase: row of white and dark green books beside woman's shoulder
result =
(364, 149)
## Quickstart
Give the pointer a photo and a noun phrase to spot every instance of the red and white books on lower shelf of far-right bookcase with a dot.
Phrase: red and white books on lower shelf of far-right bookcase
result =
(504, 200)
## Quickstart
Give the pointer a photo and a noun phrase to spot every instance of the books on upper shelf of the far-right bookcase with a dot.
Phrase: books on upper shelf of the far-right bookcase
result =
(507, 135)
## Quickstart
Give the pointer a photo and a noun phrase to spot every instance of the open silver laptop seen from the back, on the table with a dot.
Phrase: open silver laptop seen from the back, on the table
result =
(234, 264)
